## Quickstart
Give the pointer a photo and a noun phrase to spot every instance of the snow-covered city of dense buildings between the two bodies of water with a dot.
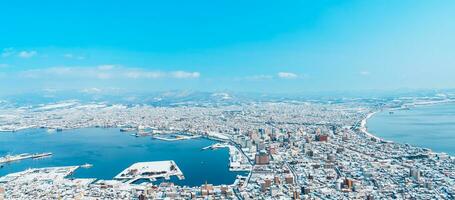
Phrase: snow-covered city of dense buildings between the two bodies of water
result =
(299, 150)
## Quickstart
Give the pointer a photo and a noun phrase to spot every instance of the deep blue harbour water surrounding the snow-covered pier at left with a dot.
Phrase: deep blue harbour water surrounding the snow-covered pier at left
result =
(111, 151)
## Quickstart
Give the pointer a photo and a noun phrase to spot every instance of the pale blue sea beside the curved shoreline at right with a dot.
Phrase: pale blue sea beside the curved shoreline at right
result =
(431, 126)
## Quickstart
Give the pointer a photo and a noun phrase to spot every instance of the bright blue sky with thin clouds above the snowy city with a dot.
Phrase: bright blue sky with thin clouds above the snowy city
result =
(252, 46)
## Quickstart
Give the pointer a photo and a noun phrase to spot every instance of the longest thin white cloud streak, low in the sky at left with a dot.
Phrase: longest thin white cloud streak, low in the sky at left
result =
(107, 72)
